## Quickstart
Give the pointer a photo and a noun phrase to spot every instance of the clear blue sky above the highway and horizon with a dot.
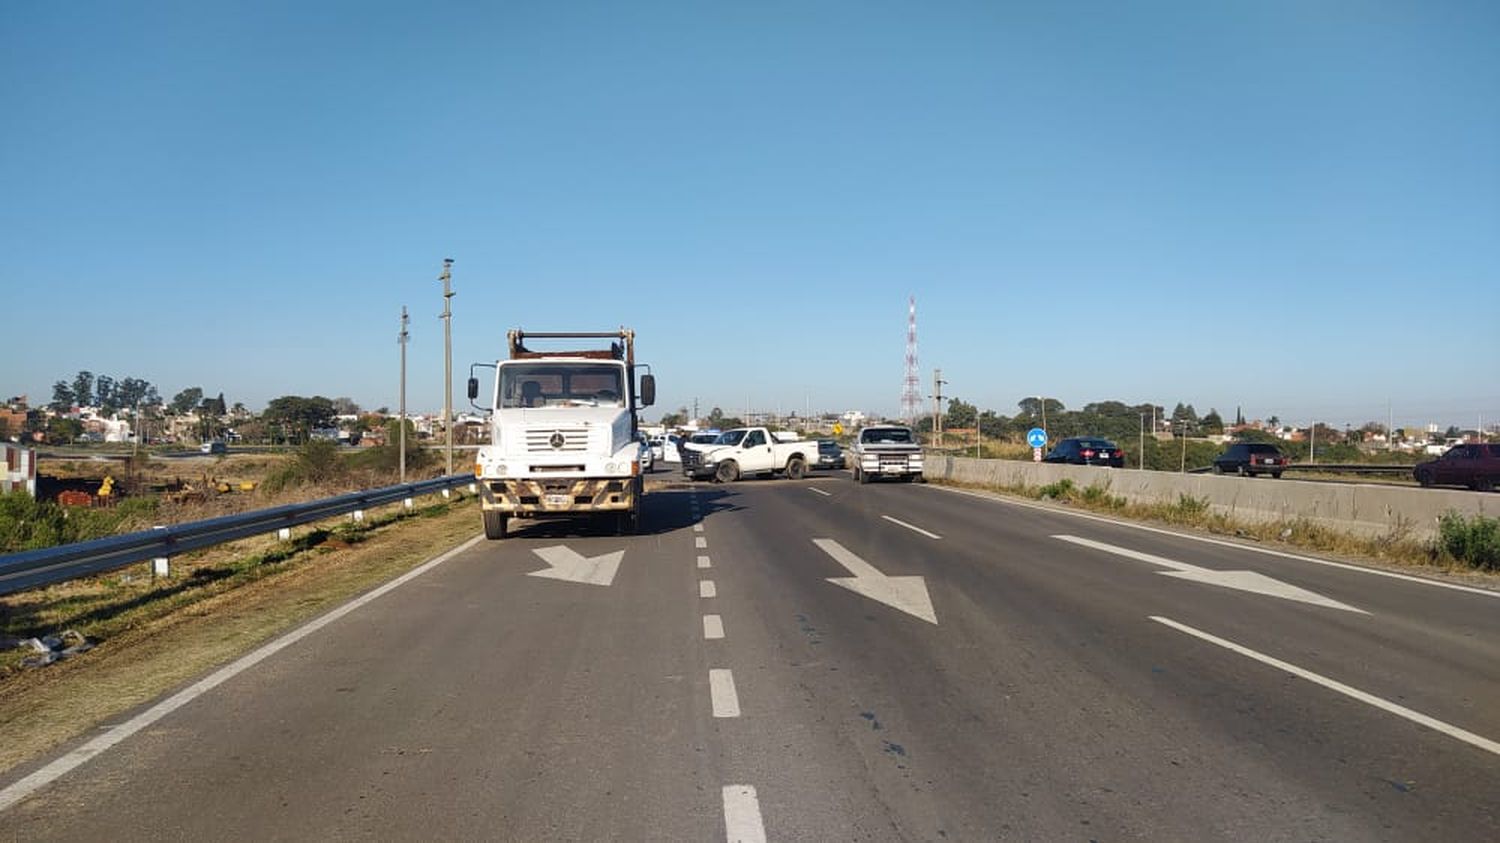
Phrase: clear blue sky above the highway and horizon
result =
(1285, 206)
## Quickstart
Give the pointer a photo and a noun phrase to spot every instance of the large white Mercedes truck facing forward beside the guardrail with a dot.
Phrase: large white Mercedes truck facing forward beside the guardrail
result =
(565, 433)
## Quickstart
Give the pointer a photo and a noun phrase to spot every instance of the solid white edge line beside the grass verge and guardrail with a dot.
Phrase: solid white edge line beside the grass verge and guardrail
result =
(82, 755)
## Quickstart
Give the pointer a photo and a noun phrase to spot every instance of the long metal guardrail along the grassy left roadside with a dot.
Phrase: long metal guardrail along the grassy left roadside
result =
(32, 569)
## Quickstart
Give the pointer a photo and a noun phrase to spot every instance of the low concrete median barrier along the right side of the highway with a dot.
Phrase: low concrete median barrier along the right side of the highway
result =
(1354, 508)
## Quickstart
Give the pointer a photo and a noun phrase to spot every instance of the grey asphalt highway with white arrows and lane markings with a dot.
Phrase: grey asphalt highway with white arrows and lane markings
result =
(829, 661)
